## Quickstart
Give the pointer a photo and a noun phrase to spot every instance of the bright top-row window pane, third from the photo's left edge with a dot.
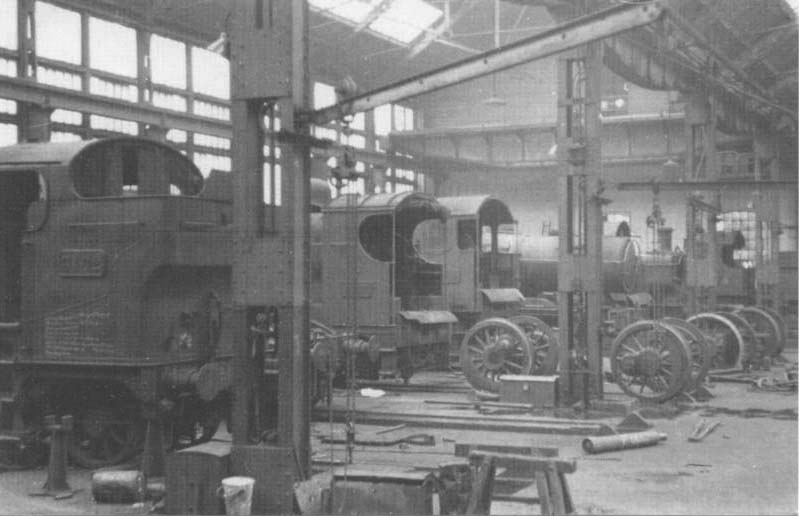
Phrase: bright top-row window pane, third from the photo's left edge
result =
(118, 57)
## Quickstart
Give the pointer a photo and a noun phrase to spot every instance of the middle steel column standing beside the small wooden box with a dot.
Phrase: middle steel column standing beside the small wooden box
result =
(580, 225)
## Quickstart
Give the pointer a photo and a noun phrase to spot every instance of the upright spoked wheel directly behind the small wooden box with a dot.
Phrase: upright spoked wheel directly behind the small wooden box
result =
(494, 347)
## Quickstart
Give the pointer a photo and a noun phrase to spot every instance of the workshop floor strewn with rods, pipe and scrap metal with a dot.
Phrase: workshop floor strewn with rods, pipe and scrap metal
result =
(748, 465)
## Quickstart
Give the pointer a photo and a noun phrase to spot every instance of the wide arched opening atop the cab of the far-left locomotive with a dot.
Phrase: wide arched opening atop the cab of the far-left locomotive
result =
(133, 169)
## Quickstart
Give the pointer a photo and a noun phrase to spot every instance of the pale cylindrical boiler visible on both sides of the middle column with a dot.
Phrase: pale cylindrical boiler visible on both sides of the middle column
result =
(621, 266)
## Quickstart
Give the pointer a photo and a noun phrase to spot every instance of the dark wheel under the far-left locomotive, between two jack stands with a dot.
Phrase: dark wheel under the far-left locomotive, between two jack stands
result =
(104, 436)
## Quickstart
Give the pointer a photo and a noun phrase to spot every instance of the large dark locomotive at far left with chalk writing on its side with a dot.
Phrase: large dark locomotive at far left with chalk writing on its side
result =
(114, 290)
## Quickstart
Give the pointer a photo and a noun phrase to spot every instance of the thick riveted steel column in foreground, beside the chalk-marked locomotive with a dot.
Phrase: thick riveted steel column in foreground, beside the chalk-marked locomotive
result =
(271, 412)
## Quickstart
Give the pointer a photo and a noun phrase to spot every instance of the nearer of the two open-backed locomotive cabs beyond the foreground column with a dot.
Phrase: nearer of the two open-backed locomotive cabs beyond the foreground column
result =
(375, 277)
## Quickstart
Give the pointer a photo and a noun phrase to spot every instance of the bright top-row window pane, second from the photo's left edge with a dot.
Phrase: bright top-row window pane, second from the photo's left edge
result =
(57, 33)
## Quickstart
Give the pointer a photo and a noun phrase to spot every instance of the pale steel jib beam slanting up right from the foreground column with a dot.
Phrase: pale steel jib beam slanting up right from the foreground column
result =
(564, 37)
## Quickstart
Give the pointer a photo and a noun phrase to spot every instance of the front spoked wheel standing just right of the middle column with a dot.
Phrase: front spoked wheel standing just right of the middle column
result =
(650, 361)
